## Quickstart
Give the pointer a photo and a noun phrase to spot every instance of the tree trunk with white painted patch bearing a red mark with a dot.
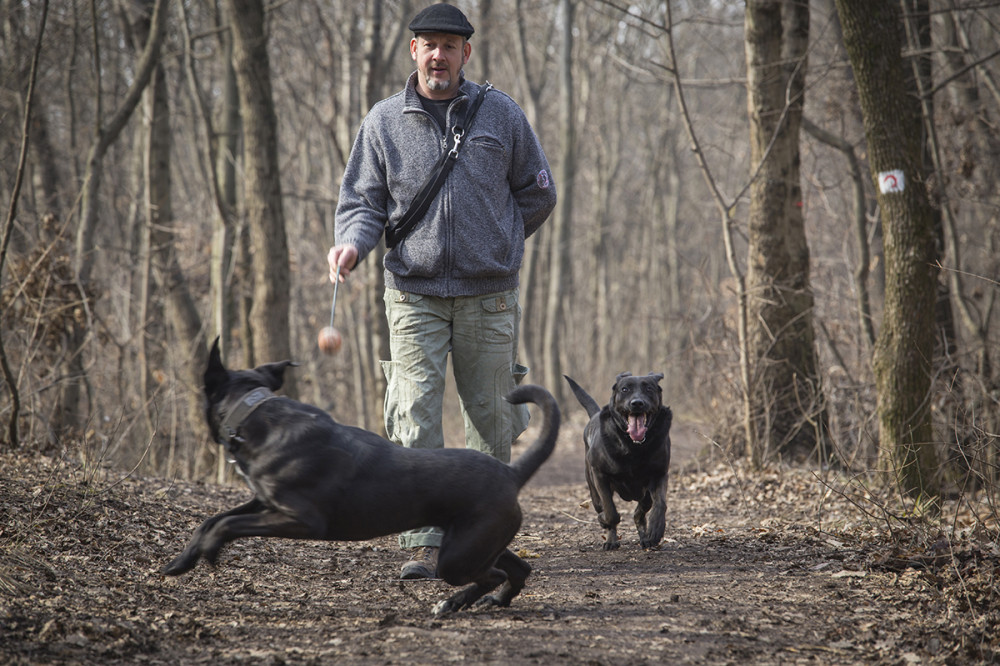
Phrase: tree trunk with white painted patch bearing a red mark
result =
(905, 347)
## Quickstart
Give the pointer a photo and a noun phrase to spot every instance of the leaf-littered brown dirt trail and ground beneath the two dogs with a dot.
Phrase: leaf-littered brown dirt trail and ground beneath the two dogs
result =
(772, 571)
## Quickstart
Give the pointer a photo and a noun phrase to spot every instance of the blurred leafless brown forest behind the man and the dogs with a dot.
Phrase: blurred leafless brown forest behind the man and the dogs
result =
(183, 163)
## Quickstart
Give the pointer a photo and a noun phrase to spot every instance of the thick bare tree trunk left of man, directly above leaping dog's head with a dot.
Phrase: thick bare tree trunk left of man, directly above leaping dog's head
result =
(262, 187)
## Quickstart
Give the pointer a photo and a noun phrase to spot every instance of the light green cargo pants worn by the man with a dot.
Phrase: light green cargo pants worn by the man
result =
(481, 333)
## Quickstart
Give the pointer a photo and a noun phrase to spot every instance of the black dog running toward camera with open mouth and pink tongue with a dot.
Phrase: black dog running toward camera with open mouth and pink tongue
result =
(628, 451)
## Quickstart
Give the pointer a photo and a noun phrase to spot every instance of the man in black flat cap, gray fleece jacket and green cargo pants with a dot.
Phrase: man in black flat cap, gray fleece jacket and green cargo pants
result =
(451, 282)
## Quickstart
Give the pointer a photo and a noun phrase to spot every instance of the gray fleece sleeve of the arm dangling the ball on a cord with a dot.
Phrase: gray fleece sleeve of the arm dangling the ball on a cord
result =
(362, 208)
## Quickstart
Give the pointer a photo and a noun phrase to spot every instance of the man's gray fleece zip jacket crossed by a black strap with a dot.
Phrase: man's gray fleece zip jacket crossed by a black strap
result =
(471, 241)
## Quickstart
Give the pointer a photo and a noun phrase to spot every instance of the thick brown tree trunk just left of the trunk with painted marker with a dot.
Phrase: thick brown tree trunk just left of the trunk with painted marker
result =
(788, 409)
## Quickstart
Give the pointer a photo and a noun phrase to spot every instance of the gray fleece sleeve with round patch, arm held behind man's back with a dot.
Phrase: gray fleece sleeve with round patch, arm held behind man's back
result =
(531, 179)
